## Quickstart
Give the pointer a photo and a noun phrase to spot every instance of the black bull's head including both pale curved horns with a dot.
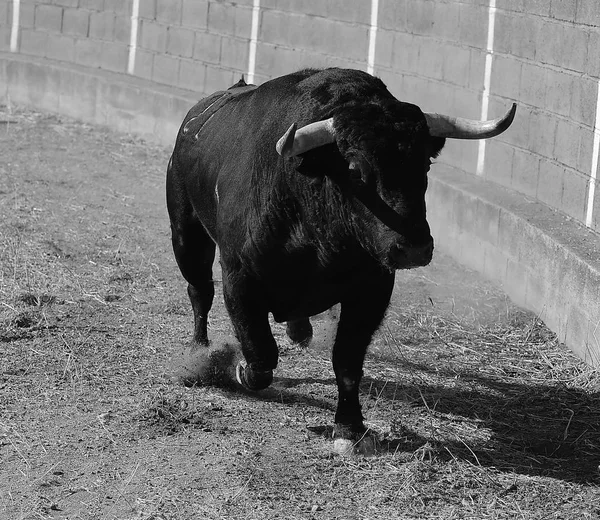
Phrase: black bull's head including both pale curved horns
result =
(387, 167)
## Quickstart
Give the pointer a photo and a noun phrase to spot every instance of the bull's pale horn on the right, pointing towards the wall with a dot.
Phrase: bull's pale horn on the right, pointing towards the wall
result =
(460, 128)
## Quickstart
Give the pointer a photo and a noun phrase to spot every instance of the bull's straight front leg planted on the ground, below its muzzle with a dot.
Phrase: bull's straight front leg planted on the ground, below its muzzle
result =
(360, 317)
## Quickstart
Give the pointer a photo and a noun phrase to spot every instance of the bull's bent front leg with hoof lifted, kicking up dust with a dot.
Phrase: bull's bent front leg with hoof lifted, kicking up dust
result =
(250, 319)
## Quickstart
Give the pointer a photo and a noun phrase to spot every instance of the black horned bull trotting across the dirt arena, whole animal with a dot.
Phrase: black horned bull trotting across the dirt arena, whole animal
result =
(305, 219)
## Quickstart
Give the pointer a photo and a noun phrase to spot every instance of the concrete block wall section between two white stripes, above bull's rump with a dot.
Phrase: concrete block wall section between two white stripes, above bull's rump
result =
(200, 45)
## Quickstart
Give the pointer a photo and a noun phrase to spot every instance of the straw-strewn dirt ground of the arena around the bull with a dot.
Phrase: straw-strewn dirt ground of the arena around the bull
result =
(480, 412)
